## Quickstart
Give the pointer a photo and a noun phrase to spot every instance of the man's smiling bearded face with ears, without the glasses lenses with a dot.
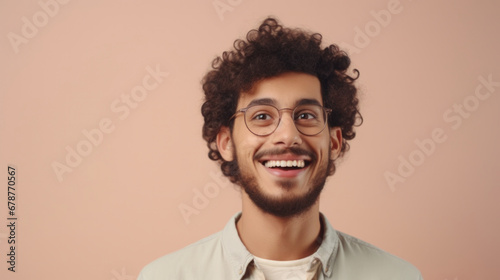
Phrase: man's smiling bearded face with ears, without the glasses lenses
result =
(275, 189)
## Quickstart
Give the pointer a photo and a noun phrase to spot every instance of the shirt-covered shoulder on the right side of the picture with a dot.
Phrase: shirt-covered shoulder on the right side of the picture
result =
(368, 259)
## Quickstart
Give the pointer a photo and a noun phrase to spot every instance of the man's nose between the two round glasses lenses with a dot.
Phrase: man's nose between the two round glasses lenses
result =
(286, 133)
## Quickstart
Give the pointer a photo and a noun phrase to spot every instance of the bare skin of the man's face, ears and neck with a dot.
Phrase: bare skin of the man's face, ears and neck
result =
(275, 237)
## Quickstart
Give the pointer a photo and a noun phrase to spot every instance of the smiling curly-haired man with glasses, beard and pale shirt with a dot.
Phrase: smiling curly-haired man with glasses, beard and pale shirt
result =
(279, 110)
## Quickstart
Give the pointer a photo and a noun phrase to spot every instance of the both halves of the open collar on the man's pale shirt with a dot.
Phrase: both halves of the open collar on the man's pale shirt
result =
(240, 257)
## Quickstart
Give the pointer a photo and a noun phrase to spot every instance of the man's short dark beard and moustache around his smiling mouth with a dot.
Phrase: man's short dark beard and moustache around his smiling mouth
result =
(287, 205)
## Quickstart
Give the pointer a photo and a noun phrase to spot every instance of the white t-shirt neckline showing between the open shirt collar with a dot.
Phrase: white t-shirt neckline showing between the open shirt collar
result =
(280, 270)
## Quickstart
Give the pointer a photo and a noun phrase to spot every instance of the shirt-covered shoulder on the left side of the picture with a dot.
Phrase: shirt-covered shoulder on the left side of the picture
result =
(189, 262)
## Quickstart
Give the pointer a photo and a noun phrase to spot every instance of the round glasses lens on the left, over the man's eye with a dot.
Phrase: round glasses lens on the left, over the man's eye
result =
(262, 119)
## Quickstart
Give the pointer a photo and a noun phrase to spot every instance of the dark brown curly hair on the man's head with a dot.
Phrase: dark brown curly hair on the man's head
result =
(267, 52)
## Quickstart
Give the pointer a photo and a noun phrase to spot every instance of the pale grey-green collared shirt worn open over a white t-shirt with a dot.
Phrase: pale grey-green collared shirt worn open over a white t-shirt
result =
(223, 256)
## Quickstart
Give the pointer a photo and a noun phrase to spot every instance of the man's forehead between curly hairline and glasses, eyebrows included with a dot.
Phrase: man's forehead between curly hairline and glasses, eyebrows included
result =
(284, 91)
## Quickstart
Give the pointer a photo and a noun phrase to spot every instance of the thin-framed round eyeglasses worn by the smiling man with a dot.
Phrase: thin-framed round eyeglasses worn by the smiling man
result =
(262, 120)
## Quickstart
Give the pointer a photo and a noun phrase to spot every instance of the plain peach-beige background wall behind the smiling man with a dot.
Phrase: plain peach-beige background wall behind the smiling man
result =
(64, 64)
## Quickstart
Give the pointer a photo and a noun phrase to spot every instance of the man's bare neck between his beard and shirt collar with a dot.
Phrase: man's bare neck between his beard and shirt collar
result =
(277, 238)
